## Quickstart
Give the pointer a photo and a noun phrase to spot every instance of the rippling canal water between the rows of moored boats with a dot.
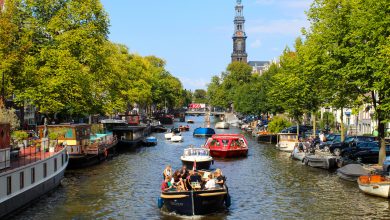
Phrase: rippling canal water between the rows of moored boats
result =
(265, 185)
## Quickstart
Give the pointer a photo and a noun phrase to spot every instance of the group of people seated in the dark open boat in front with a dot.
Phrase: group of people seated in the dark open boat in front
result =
(184, 180)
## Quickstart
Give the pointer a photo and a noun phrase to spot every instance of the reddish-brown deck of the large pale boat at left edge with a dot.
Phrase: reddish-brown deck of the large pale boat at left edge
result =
(27, 156)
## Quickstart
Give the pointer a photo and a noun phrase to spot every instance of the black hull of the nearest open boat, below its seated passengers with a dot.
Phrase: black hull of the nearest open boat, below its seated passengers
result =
(196, 201)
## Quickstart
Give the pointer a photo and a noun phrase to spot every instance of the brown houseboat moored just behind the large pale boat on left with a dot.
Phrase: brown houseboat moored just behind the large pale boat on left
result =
(84, 148)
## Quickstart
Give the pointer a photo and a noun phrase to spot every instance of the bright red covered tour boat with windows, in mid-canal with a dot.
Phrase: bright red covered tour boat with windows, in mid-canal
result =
(227, 145)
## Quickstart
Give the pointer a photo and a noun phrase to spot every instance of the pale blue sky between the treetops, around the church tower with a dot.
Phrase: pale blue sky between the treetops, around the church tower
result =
(195, 37)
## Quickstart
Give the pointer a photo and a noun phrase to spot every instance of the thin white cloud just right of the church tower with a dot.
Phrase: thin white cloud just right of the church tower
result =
(282, 26)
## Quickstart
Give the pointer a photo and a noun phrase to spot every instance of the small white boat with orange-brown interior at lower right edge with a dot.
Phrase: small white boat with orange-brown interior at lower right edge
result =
(375, 185)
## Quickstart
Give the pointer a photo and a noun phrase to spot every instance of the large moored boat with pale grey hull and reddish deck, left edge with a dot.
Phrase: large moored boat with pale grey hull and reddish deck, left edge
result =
(28, 173)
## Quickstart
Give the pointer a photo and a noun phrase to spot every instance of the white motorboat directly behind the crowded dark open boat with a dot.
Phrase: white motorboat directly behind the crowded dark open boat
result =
(199, 158)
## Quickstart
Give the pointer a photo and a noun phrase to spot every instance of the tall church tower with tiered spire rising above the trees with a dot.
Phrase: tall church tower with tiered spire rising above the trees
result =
(239, 36)
